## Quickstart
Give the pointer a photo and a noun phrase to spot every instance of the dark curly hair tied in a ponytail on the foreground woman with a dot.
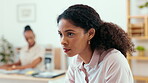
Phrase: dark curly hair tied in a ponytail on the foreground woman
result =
(107, 35)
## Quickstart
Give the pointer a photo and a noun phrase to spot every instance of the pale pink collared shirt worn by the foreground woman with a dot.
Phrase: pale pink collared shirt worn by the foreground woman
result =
(104, 67)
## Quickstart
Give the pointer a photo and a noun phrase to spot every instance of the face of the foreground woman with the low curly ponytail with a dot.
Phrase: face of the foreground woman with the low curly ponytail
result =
(74, 40)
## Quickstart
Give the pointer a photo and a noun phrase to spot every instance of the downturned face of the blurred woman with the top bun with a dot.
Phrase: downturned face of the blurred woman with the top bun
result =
(30, 38)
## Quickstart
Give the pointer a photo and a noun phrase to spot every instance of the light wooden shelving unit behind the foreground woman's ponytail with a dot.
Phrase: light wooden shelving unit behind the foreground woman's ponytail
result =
(137, 29)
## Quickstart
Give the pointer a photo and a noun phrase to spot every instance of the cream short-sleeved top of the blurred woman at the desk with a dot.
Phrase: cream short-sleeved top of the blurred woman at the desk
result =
(27, 56)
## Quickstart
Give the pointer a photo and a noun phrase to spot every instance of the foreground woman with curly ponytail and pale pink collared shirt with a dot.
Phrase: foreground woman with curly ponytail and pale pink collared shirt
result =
(99, 47)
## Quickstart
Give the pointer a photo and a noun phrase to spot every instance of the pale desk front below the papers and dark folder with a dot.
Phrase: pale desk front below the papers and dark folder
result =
(15, 78)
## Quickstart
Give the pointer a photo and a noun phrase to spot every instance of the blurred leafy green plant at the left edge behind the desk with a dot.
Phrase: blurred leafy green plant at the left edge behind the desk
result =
(6, 51)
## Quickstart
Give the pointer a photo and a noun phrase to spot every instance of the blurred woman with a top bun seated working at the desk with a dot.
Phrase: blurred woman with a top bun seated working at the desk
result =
(31, 56)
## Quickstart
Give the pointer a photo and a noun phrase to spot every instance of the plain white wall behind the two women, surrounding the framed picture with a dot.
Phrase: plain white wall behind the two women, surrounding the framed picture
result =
(45, 25)
